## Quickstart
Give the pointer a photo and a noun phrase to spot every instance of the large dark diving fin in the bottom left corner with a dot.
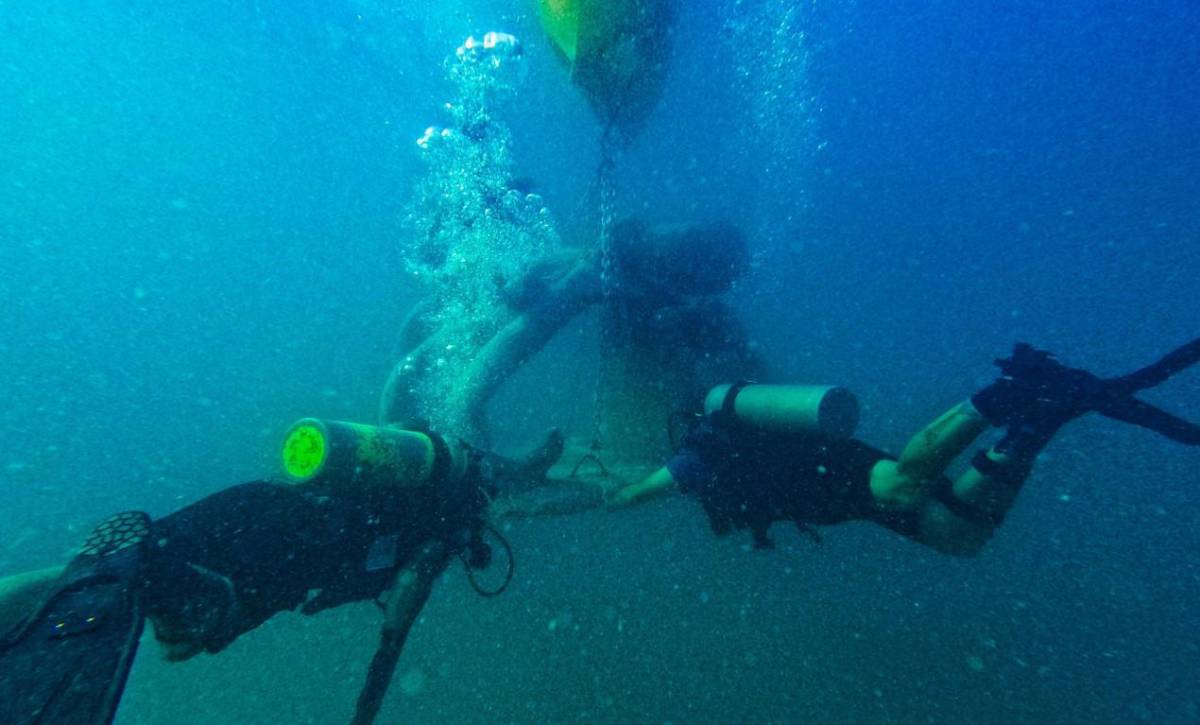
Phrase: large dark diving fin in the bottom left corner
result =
(69, 661)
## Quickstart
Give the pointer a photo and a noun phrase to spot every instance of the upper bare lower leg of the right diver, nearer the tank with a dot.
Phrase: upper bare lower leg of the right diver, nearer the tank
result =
(905, 483)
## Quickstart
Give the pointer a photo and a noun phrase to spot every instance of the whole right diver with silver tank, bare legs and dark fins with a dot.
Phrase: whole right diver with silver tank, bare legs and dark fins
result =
(771, 453)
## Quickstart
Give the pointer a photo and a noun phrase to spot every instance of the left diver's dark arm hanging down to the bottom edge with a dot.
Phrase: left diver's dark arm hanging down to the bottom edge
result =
(409, 595)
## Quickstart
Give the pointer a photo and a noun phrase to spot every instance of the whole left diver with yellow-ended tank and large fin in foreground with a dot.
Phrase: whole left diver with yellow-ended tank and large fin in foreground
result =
(363, 513)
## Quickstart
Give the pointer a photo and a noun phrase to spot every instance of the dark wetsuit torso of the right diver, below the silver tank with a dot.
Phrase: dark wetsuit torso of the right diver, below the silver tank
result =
(749, 480)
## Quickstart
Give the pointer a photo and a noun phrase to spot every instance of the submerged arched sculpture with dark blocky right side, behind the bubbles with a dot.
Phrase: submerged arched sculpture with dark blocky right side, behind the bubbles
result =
(668, 281)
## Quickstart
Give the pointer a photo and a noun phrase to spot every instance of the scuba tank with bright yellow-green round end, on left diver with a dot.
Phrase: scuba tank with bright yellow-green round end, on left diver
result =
(365, 459)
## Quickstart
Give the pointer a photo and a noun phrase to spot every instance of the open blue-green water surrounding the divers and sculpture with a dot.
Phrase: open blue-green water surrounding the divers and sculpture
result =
(202, 211)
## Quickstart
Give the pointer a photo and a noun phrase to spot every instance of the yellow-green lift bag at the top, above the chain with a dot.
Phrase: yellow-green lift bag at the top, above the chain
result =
(617, 51)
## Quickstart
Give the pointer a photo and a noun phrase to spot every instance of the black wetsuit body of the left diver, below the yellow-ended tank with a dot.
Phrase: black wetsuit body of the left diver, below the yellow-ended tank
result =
(227, 564)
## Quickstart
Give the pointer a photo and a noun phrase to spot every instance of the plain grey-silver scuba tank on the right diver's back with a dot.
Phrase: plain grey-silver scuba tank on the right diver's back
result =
(829, 410)
